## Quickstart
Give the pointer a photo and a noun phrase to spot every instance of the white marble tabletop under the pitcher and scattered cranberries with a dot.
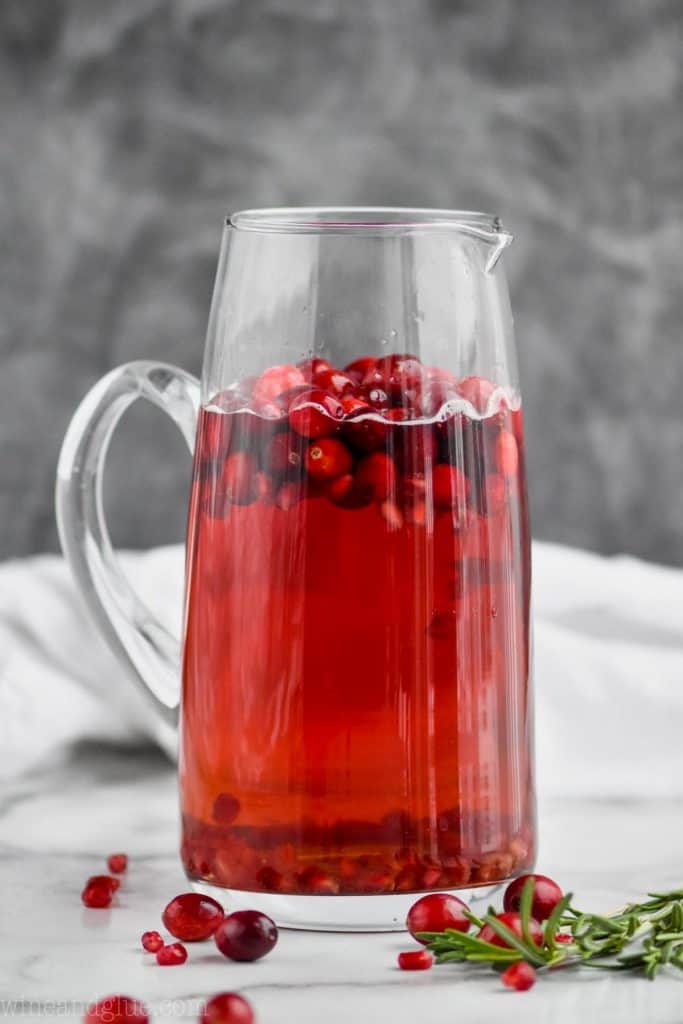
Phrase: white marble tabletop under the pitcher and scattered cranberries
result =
(57, 826)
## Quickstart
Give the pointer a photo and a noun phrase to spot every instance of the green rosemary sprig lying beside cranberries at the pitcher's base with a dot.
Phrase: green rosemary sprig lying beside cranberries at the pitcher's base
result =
(642, 938)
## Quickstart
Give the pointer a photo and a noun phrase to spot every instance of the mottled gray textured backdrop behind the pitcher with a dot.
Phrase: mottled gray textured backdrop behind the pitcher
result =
(130, 127)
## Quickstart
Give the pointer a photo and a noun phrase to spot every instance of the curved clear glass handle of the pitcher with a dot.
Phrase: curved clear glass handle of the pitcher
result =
(145, 647)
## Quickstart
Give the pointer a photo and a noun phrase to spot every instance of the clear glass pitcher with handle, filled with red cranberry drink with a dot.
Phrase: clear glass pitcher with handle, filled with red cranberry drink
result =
(356, 708)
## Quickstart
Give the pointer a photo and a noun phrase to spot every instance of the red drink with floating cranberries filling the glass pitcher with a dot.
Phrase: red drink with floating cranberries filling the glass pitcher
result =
(357, 667)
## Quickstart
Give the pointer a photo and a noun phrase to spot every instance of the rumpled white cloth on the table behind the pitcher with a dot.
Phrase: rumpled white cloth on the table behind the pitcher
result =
(609, 652)
